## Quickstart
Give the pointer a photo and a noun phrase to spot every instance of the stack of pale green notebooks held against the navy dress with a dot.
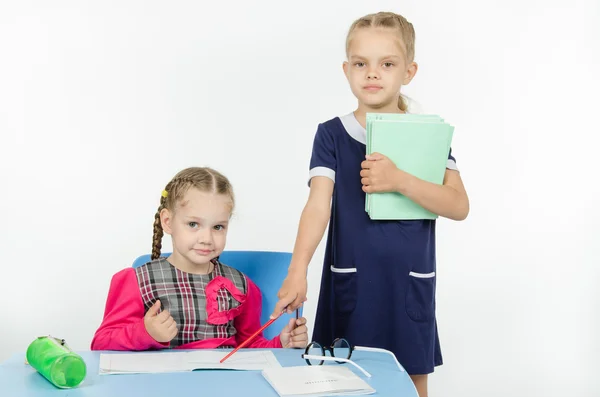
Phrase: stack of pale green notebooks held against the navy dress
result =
(418, 144)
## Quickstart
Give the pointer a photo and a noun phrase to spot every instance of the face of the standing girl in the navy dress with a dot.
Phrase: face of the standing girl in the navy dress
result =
(377, 68)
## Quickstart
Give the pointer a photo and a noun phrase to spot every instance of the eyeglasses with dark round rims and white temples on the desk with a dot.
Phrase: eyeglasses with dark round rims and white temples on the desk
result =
(340, 351)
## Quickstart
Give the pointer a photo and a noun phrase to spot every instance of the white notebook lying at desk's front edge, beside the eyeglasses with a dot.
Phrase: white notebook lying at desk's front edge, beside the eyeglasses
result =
(314, 381)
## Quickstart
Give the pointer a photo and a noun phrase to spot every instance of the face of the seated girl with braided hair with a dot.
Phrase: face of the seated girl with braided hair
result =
(198, 228)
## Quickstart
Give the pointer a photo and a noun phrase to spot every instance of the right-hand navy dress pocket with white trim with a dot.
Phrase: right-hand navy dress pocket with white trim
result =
(420, 296)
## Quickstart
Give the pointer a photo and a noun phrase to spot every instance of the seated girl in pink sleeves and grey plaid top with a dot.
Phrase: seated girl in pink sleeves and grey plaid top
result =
(189, 300)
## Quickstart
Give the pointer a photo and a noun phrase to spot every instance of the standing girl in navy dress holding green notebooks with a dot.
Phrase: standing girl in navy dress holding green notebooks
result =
(378, 280)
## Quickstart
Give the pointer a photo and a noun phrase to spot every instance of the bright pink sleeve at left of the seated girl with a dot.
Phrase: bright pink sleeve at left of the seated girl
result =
(123, 325)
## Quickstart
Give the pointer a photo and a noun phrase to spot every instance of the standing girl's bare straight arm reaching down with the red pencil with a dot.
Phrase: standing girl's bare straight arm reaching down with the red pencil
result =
(313, 222)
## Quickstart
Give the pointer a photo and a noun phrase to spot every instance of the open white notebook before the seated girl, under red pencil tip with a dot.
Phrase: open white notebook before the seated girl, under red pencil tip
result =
(143, 362)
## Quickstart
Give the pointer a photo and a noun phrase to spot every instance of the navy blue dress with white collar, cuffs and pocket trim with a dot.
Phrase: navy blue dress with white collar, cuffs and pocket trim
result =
(378, 281)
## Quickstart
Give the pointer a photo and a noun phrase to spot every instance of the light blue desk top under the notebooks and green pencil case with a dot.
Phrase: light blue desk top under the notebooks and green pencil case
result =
(20, 380)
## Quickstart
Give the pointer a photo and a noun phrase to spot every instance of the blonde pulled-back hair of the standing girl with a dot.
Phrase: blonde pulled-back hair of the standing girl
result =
(388, 20)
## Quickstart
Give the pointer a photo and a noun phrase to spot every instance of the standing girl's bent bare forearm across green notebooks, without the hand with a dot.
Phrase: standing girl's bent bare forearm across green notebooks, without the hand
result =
(449, 200)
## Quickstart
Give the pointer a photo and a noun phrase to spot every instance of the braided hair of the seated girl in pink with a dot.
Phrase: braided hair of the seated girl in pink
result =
(202, 178)
